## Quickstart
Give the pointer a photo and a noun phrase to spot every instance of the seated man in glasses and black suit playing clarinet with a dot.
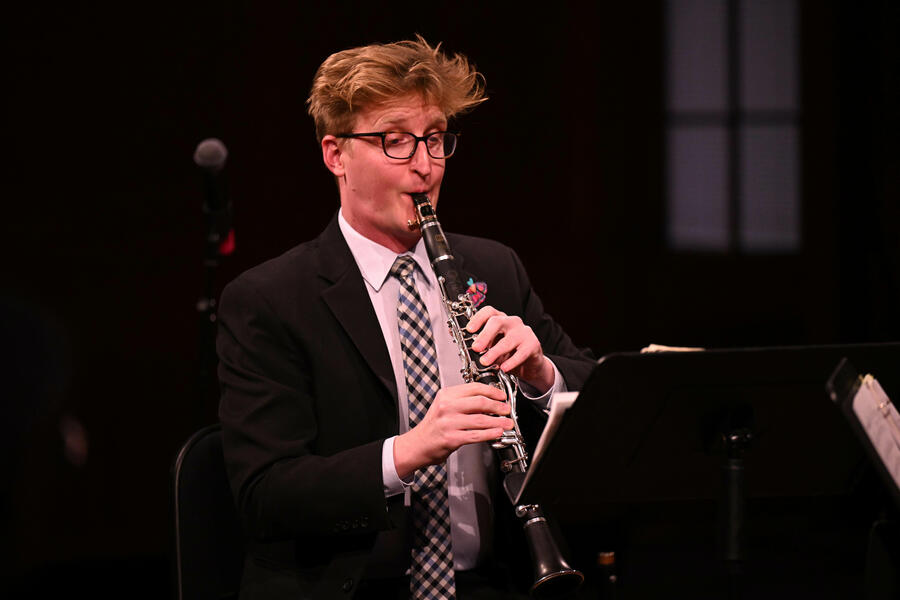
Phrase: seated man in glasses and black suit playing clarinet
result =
(356, 453)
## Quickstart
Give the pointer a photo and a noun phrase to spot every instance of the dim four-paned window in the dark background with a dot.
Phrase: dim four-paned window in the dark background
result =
(732, 126)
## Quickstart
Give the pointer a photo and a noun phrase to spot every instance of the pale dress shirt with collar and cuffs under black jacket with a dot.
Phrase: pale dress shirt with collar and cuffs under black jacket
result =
(468, 468)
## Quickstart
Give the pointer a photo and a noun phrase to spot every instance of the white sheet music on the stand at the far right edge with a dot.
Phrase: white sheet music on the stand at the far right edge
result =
(881, 422)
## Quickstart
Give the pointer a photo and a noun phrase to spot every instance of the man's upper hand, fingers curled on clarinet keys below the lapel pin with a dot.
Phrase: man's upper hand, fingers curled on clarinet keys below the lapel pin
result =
(511, 345)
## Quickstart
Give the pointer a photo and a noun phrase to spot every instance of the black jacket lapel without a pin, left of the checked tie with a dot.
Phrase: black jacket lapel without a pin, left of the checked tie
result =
(346, 297)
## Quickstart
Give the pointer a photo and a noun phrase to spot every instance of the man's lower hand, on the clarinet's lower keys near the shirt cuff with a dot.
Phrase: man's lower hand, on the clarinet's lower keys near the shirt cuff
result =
(459, 415)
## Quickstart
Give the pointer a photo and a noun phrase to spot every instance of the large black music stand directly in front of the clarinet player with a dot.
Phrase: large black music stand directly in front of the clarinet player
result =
(720, 425)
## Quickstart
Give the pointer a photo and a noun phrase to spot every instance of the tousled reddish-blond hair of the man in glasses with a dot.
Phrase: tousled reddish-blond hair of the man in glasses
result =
(352, 80)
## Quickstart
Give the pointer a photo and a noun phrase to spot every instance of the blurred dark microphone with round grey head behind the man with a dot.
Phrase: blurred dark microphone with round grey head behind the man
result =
(210, 156)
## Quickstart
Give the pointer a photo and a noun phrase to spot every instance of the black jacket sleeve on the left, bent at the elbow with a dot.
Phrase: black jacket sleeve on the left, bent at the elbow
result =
(268, 410)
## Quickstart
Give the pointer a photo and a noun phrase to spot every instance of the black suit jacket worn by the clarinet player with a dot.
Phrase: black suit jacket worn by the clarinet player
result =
(308, 398)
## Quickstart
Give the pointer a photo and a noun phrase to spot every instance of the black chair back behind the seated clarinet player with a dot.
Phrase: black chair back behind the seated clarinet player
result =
(209, 548)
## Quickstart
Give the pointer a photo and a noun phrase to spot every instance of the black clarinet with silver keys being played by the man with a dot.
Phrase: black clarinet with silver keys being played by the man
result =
(553, 576)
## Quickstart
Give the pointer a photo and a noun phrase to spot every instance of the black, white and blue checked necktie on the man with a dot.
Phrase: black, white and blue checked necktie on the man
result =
(431, 570)
